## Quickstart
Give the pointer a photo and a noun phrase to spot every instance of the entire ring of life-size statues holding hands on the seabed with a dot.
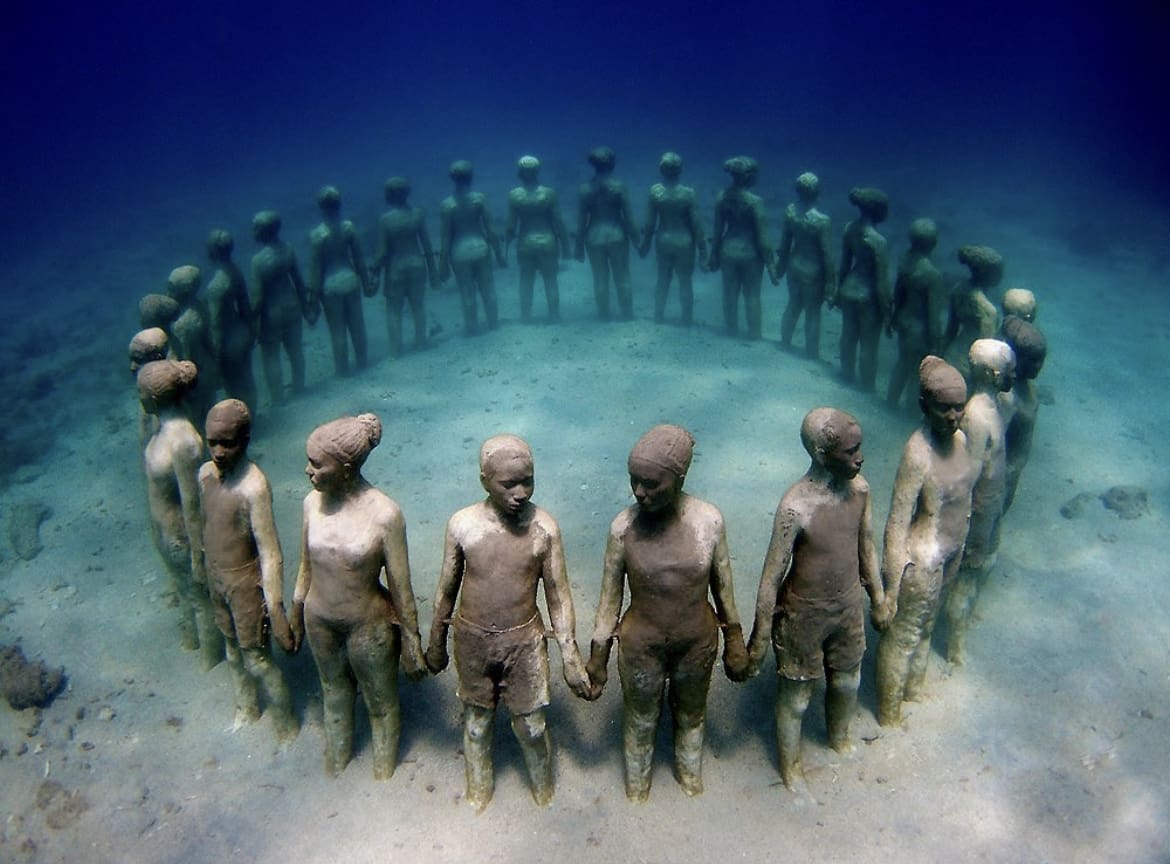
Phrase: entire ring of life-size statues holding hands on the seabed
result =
(667, 594)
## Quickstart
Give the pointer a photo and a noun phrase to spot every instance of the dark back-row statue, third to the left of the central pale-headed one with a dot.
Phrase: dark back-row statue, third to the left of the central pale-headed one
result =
(339, 277)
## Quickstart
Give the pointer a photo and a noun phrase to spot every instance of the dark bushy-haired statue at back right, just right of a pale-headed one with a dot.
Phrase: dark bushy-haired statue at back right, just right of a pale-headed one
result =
(863, 292)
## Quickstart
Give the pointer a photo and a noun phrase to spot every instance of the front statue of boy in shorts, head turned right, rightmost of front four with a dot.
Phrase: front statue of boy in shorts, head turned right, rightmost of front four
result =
(811, 606)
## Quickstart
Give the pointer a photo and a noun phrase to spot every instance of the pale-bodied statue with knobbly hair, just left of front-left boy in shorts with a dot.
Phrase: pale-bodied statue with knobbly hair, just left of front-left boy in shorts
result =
(173, 456)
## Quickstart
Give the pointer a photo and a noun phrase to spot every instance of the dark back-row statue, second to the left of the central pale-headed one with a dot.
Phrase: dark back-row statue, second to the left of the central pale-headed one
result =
(407, 264)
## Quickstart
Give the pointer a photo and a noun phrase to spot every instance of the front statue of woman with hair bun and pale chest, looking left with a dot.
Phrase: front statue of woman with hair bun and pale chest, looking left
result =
(354, 599)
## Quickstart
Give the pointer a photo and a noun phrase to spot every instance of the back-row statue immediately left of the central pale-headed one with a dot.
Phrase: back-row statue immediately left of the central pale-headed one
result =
(467, 243)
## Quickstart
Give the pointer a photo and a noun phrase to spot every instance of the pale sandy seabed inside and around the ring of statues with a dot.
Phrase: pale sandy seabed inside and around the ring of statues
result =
(1050, 745)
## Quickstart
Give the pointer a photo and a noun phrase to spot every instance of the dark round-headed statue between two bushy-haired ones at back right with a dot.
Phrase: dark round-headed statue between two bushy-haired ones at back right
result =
(919, 313)
